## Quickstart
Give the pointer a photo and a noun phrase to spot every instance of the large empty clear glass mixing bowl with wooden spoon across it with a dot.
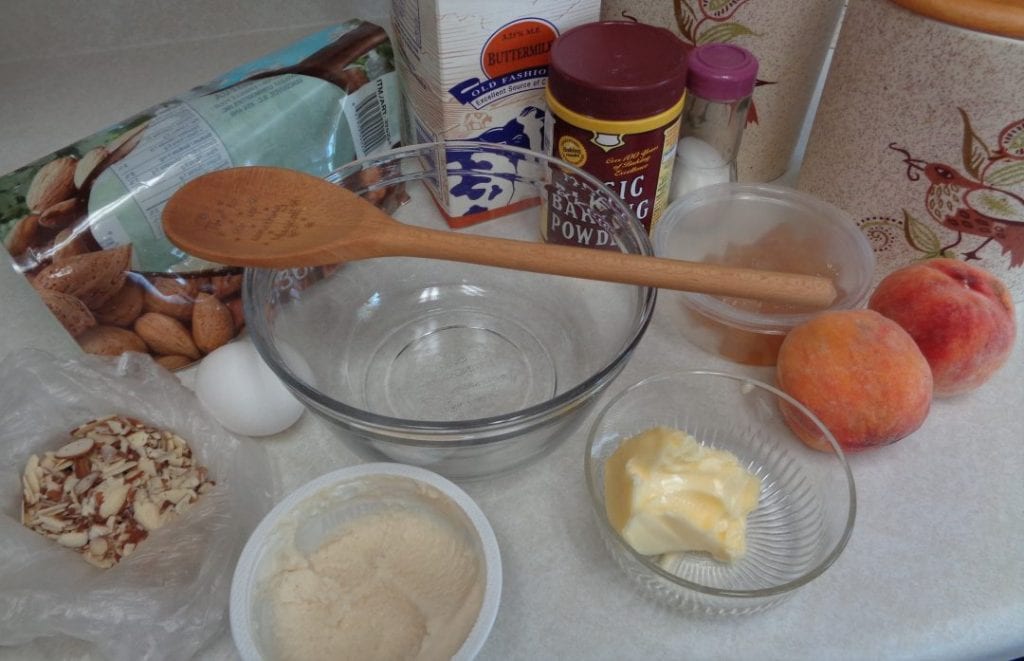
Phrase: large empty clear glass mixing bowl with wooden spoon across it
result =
(468, 371)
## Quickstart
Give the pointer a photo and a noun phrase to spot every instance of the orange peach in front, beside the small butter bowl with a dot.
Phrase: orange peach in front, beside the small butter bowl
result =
(861, 374)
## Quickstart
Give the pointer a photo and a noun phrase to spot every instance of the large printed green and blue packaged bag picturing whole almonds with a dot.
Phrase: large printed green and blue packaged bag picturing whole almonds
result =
(83, 224)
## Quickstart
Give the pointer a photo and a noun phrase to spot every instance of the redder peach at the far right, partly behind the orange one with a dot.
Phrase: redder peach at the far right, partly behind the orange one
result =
(961, 317)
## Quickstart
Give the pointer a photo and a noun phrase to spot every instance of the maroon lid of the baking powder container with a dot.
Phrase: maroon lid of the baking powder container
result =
(618, 70)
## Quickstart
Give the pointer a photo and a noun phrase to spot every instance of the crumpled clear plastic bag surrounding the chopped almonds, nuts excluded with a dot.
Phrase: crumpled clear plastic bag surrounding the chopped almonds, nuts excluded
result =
(168, 599)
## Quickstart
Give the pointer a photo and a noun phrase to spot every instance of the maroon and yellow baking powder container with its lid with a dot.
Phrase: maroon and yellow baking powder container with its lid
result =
(615, 96)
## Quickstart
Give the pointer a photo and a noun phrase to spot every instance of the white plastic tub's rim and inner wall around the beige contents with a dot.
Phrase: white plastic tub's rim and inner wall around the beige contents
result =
(339, 491)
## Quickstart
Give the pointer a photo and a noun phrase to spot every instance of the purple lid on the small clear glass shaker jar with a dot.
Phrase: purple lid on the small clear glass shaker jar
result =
(721, 72)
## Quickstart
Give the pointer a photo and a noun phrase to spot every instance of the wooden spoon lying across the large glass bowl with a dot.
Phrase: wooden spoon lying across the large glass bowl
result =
(277, 218)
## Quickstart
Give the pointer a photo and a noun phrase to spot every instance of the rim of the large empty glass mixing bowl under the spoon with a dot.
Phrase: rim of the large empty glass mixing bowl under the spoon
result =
(440, 434)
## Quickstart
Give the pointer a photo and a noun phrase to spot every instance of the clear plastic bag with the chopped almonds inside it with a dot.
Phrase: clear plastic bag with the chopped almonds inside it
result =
(125, 508)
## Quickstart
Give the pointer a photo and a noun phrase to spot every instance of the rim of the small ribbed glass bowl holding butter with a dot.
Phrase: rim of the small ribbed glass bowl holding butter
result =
(598, 501)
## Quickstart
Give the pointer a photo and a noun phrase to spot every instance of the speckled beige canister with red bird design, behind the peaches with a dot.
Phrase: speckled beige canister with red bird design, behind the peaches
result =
(920, 134)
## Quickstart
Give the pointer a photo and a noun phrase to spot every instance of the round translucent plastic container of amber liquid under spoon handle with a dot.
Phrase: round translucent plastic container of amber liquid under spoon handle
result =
(766, 228)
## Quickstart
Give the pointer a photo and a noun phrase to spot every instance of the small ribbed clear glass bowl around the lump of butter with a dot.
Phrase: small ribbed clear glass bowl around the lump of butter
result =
(807, 503)
